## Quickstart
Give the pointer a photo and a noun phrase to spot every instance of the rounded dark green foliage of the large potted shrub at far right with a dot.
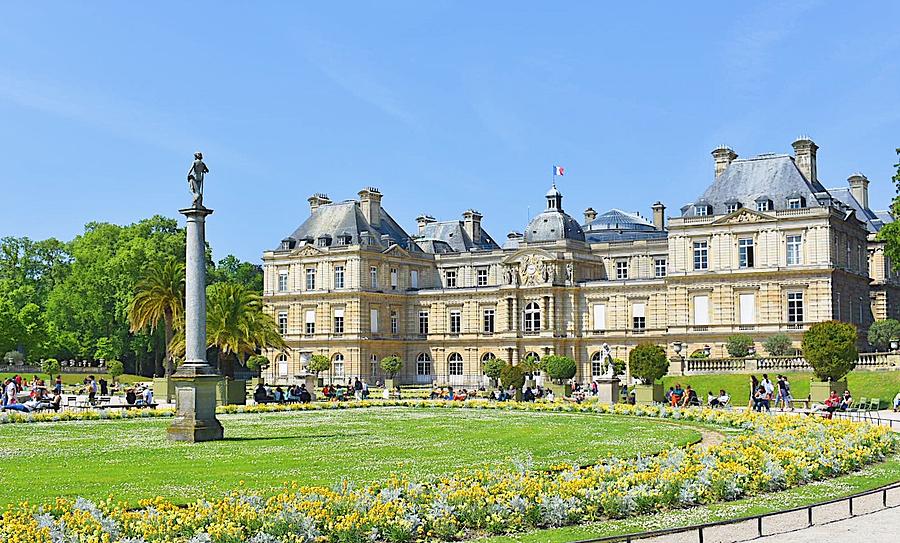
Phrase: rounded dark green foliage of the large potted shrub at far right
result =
(830, 349)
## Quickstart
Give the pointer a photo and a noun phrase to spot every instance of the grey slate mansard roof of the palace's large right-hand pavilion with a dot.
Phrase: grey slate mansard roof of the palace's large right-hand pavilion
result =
(770, 176)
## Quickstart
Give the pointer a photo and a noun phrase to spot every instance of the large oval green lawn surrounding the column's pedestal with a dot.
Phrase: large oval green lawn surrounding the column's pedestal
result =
(132, 459)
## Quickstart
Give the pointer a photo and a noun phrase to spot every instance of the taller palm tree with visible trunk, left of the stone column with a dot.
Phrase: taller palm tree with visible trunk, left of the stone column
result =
(159, 297)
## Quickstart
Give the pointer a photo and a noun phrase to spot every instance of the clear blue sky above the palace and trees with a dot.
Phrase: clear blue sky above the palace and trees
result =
(442, 105)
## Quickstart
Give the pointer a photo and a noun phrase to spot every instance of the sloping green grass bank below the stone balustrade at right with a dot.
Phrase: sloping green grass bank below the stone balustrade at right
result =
(863, 384)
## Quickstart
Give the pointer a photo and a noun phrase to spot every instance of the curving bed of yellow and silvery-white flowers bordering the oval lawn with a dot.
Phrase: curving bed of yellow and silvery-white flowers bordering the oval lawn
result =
(772, 453)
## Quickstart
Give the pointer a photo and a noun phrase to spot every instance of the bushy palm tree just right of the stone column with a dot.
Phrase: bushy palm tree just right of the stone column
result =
(235, 325)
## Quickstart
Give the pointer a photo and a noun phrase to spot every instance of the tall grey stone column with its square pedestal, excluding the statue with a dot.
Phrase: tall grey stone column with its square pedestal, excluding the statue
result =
(195, 380)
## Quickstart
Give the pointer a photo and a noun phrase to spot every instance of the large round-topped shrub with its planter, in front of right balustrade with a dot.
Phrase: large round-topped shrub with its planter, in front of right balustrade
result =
(830, 350)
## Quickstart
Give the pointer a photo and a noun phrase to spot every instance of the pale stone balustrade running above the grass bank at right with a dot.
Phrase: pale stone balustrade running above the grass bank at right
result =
(698, 366)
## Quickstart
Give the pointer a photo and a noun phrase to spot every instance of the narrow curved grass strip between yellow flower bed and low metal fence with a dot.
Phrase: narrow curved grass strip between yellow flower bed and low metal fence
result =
(866, 479)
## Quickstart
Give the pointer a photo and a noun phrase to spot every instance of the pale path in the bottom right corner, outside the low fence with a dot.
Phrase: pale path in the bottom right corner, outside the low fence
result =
(879, 527)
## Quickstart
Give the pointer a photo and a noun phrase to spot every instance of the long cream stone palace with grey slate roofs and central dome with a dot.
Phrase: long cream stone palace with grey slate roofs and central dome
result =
(765, 249)
